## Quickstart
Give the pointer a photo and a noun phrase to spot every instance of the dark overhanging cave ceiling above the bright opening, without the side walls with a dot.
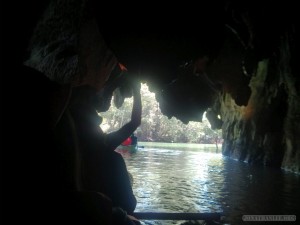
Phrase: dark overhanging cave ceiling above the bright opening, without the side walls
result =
(188, 59)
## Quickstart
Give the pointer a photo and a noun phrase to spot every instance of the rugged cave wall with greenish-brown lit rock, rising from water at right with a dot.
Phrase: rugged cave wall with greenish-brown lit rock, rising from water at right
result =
(266, 130)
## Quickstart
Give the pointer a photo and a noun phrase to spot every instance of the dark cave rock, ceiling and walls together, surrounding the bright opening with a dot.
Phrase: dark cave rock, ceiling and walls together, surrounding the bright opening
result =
(230, 58)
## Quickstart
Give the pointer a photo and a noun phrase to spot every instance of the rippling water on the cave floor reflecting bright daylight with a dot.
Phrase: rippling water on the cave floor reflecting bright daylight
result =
(168, 180)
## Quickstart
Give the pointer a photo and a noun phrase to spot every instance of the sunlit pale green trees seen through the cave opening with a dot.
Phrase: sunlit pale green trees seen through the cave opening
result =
(156, 127)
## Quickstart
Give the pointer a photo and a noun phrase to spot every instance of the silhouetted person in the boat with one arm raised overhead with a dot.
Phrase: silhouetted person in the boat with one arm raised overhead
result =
(103, 169)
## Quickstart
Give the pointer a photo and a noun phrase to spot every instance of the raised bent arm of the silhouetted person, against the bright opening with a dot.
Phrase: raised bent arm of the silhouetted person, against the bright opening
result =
(114, 139)
